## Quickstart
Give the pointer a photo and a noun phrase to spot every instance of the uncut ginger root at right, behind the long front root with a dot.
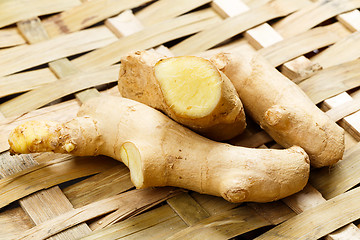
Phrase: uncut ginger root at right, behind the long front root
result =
(281, 108)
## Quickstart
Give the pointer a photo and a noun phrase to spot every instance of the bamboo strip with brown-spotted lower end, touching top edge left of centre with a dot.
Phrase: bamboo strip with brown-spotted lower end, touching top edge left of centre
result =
(87, 14)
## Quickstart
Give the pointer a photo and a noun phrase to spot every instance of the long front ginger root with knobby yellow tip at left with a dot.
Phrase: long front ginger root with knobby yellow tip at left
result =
(161, 152)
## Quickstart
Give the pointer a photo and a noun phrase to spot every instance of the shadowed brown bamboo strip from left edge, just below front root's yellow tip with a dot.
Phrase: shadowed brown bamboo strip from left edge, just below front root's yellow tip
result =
(49, 174)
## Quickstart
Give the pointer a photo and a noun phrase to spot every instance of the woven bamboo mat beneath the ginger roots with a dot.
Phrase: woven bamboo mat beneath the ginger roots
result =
(56, 54)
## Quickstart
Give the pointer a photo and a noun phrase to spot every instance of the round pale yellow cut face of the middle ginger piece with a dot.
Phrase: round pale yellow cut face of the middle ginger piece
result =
(191, 85)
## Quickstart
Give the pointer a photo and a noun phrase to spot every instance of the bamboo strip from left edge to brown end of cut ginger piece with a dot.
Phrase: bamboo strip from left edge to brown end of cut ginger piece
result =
(52, 91)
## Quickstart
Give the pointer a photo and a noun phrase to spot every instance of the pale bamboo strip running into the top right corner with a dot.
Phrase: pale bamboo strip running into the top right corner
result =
(313, 15)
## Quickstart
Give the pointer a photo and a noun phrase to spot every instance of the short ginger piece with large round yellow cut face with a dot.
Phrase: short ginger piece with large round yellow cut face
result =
(189, 89)
